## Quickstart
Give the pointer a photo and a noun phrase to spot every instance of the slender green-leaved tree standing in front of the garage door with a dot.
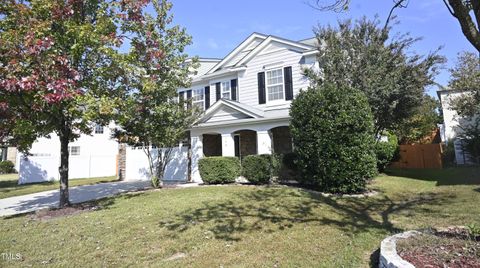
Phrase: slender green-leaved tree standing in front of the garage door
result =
(149, 116)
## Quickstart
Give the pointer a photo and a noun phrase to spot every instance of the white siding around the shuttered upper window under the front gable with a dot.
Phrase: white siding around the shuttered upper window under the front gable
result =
(248, 84)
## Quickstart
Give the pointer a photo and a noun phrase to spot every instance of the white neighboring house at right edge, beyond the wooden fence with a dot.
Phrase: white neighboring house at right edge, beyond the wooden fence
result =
(453, 125)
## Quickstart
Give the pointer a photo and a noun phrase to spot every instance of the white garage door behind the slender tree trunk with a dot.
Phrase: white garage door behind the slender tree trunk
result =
(137, 164)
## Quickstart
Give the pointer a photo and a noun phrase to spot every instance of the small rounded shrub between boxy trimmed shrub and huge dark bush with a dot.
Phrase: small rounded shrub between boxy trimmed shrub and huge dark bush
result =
(257, 169)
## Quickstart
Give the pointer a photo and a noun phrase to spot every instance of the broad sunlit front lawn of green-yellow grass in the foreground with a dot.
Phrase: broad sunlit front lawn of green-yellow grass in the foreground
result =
(242, 225)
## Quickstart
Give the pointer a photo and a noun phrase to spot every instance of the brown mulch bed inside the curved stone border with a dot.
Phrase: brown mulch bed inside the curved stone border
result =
(452, 247)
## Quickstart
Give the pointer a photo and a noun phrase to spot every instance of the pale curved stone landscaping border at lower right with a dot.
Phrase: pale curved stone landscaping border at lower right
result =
(388, 251)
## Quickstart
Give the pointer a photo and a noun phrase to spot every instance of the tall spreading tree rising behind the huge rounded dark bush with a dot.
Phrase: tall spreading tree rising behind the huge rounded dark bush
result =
(361, 55)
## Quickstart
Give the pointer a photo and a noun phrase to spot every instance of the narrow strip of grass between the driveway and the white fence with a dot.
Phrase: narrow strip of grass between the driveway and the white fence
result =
(9, 185)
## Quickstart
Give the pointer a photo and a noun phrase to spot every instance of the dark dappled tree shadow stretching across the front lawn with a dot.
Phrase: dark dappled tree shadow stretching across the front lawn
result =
(272, 209)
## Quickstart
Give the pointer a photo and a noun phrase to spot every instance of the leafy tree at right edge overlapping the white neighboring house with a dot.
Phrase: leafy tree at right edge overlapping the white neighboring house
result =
(465, 76)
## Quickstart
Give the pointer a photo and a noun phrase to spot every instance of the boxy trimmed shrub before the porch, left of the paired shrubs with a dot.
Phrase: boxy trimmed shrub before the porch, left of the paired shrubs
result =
(219, 169)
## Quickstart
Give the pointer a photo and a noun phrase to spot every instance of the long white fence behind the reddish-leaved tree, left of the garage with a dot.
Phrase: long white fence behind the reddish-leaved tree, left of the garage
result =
(40, 168)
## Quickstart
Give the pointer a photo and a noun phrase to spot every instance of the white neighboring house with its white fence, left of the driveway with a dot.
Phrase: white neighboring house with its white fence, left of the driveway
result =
(91, 156)
